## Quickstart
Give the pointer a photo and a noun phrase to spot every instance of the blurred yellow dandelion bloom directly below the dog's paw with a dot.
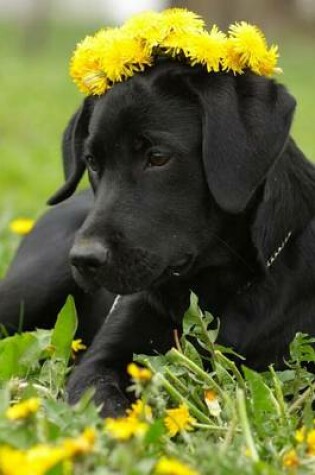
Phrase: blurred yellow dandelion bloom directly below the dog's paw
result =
(125, 427)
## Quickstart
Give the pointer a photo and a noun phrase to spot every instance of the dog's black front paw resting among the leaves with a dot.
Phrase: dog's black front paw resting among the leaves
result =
(108, 395)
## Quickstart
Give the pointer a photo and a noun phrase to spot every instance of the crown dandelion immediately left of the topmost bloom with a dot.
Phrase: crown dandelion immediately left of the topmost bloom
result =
(147, 26)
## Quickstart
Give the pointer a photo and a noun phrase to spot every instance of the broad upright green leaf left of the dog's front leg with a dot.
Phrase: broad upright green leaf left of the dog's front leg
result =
(64, 331)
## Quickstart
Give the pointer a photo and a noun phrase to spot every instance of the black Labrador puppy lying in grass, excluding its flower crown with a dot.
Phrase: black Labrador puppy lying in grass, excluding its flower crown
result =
(197, 184)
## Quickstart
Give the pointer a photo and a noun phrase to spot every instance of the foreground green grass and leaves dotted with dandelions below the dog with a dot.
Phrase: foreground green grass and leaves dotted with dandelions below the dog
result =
(230, 423)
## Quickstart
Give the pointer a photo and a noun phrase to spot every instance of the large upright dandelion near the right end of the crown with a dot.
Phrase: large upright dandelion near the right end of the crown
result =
(249, 42)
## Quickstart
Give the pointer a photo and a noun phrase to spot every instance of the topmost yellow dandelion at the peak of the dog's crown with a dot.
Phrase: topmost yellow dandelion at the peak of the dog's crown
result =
(181, 20)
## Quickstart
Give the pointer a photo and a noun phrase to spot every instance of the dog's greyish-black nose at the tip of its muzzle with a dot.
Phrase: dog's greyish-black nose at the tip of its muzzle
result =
(88, 256)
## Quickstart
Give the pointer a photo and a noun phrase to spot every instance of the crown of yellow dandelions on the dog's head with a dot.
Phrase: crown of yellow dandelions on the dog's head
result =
(113, 55)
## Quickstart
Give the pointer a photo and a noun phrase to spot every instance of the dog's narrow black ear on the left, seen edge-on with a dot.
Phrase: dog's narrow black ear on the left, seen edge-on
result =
(72, 148)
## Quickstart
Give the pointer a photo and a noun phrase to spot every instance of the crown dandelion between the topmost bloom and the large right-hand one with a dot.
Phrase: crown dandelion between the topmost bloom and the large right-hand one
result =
(207, 49)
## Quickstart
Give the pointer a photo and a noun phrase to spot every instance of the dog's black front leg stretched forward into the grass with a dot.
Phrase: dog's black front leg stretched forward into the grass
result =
(136, 324)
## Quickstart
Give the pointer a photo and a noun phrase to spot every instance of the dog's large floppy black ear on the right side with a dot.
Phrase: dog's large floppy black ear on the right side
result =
(246, 123)
